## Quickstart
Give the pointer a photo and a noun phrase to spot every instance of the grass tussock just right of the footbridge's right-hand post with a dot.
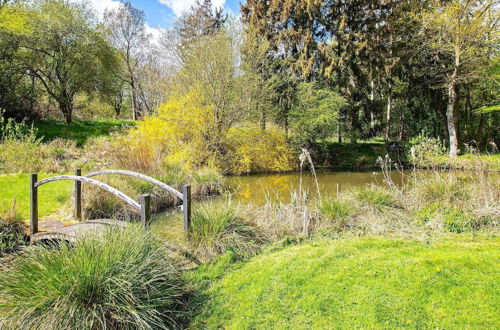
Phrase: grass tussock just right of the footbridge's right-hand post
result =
(217, 227)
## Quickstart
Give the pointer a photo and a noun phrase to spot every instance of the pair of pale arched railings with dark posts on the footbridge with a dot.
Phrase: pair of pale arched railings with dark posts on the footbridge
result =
(143, 206)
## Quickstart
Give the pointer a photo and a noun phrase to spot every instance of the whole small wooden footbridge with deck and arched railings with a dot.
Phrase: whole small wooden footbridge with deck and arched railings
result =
(72, 232)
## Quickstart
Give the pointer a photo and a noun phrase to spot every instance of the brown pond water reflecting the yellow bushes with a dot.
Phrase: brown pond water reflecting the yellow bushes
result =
(257, 189)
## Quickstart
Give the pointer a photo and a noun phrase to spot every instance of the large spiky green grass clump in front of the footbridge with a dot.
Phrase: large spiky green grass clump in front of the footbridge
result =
(120, 279)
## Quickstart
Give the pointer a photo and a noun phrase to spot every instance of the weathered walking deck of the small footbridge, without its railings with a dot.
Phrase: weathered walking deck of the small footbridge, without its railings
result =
(72, 232)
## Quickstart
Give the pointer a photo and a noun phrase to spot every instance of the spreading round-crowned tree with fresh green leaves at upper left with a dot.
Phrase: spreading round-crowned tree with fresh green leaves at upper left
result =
(63, 65)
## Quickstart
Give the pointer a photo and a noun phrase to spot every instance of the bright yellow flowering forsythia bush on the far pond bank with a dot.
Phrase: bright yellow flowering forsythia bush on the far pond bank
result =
(186, 134)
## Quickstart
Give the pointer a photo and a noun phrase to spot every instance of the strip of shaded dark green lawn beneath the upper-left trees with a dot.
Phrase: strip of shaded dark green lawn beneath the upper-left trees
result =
(80, 130)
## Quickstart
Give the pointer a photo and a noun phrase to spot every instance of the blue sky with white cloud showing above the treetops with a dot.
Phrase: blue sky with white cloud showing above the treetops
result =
(161, 13)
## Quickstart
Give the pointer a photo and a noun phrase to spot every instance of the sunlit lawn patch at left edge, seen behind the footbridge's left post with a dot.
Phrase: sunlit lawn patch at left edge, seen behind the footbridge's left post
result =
(51, 197)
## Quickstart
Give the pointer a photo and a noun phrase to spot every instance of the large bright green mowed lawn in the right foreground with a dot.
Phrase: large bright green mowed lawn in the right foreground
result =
(361, 283)
